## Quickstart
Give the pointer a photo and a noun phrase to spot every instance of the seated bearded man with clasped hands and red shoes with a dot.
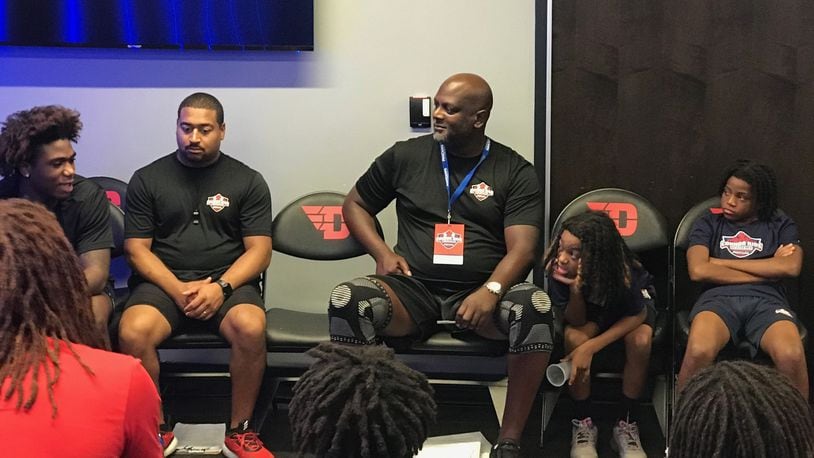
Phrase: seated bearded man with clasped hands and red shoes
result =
(198, 235)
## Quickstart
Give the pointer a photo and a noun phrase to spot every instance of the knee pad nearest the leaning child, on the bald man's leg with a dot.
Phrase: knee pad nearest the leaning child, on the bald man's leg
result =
(525, 317)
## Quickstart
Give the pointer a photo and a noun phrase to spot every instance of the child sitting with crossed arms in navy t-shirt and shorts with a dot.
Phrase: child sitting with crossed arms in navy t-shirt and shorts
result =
(739, 255)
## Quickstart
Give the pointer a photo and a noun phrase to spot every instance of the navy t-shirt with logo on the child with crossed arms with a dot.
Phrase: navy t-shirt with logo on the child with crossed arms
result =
(755, 240)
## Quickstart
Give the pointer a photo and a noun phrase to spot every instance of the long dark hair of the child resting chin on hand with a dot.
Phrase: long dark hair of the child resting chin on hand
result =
(606, 261)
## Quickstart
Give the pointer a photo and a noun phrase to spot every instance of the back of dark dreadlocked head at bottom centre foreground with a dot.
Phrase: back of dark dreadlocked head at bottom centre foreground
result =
(360, 402)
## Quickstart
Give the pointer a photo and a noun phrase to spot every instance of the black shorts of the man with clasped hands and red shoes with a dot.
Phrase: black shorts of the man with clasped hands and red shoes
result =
(150, 294)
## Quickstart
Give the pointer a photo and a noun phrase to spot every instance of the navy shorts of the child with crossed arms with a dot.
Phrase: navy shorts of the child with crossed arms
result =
(746, 317)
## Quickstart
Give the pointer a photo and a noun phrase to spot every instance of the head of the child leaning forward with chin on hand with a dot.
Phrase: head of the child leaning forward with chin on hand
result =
(589, 252)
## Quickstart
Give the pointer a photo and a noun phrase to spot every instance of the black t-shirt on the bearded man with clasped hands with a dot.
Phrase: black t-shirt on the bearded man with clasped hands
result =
(197, 217)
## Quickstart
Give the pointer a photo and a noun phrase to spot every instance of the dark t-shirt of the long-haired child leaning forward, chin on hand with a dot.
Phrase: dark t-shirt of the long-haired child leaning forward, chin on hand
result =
(636, 297)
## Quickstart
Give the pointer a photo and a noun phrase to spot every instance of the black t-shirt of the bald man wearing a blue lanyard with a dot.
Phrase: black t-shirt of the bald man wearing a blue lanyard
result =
(503, 192)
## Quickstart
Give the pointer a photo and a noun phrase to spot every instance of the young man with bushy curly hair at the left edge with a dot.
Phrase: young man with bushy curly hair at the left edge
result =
(37, 161)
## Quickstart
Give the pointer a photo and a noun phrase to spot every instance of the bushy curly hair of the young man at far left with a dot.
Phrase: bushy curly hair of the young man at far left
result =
(25, 131)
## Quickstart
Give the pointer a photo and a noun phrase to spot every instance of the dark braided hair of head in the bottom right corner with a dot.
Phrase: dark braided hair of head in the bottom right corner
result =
(740, 409)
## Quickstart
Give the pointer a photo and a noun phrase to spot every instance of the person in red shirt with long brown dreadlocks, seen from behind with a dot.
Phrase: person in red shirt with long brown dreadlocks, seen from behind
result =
(62, 394)
